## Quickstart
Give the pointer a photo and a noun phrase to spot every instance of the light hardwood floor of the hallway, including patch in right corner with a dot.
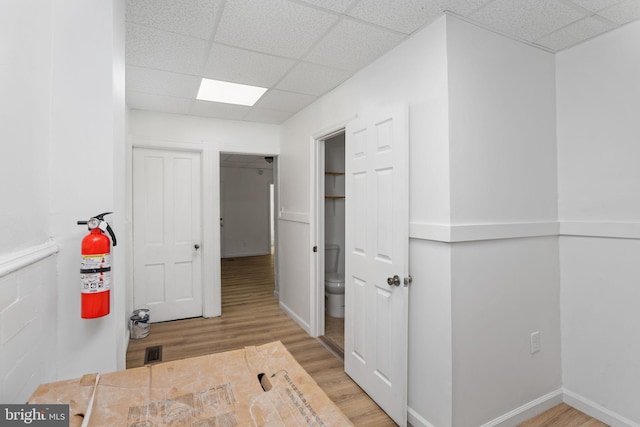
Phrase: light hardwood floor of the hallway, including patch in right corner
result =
(251, 316)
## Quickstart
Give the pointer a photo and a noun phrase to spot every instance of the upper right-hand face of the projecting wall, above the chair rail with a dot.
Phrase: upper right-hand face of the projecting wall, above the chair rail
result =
(502, 129)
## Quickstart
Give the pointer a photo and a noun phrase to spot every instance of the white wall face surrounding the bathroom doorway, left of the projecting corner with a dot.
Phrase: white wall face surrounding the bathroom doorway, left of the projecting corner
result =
(414, 73)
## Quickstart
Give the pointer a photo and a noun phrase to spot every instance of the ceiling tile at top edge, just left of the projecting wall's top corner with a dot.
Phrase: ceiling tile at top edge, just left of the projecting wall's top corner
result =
(403, 16)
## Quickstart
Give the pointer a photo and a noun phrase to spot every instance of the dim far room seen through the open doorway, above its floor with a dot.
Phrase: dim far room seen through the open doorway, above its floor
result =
(248, 195)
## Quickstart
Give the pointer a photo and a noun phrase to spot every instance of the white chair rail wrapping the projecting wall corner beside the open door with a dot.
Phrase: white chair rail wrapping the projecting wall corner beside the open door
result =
(455, 233)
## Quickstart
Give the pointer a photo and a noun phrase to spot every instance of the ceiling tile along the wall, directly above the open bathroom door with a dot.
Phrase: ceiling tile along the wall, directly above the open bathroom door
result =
(352, 45)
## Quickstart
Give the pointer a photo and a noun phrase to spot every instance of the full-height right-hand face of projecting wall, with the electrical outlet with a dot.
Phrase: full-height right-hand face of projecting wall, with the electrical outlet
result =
(503, 176)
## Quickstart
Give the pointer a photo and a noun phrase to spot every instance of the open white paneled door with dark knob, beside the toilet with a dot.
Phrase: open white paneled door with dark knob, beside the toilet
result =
(377, 250)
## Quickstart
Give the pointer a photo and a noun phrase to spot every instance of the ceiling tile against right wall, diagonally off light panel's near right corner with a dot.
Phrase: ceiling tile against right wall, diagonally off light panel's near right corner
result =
(312, 79)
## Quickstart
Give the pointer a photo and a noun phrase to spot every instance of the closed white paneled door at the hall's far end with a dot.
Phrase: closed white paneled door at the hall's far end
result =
(167, 233)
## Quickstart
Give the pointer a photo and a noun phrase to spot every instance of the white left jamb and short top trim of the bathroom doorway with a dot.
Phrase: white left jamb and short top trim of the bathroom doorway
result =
(317, 228)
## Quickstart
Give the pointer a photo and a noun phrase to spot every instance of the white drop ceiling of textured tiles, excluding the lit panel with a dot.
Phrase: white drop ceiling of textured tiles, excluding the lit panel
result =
(301, 49)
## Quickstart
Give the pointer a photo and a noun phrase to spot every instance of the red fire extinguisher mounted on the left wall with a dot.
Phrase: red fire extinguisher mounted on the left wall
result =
(95, 268)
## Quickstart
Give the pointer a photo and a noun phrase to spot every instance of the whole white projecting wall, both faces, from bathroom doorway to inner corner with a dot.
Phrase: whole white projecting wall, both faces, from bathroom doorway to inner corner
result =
(482, 172)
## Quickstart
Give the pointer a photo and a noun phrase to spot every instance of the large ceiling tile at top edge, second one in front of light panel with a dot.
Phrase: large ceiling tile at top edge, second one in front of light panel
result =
(276, 27)
